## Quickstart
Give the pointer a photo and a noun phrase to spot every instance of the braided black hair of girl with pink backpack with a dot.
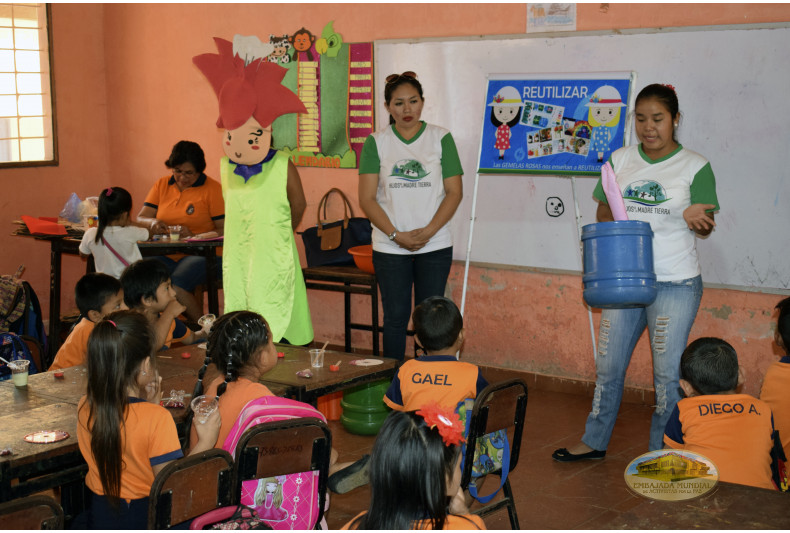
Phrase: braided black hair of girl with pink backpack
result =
(235, 339)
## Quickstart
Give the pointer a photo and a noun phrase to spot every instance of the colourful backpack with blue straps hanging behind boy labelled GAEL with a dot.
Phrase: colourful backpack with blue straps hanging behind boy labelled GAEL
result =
(492, 453)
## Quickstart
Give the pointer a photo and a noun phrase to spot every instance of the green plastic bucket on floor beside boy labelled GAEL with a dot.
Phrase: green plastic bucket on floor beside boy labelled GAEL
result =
(364, 409)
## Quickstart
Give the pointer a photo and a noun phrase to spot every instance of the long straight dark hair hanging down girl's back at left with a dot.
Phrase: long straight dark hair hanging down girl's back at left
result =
(117, 347)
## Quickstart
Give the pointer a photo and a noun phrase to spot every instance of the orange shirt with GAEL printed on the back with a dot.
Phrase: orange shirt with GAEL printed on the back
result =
(433, 378)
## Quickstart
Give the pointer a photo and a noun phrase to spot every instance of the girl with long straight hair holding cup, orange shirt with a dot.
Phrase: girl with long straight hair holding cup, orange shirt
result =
(123, 433)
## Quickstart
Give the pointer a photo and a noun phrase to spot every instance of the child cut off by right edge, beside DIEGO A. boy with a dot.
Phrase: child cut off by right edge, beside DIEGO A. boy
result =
(776, 382)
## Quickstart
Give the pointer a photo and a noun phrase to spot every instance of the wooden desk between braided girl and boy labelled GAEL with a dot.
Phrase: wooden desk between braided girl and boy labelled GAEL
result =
(324, 381)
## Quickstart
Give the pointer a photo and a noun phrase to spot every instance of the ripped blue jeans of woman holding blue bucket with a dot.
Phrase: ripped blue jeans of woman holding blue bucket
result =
(668, 320)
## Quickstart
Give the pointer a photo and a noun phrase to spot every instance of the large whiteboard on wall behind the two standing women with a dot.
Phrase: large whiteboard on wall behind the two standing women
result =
(732, 85)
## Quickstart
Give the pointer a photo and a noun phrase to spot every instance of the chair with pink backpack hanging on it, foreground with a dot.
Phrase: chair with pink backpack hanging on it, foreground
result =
(286, 447)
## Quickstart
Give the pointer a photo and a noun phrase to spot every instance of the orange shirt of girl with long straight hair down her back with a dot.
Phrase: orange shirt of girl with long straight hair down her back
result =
(148, 438)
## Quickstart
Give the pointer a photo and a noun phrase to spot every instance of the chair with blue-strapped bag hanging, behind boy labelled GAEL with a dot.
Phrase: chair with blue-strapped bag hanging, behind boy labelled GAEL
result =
(498, 406)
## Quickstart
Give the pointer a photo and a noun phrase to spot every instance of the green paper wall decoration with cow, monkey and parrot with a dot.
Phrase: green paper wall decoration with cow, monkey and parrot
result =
(334, 80)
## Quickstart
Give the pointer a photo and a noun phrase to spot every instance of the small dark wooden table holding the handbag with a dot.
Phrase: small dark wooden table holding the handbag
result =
(348, 280)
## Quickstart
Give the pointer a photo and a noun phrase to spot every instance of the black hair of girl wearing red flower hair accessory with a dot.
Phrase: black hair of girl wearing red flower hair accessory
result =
(409, 468)
